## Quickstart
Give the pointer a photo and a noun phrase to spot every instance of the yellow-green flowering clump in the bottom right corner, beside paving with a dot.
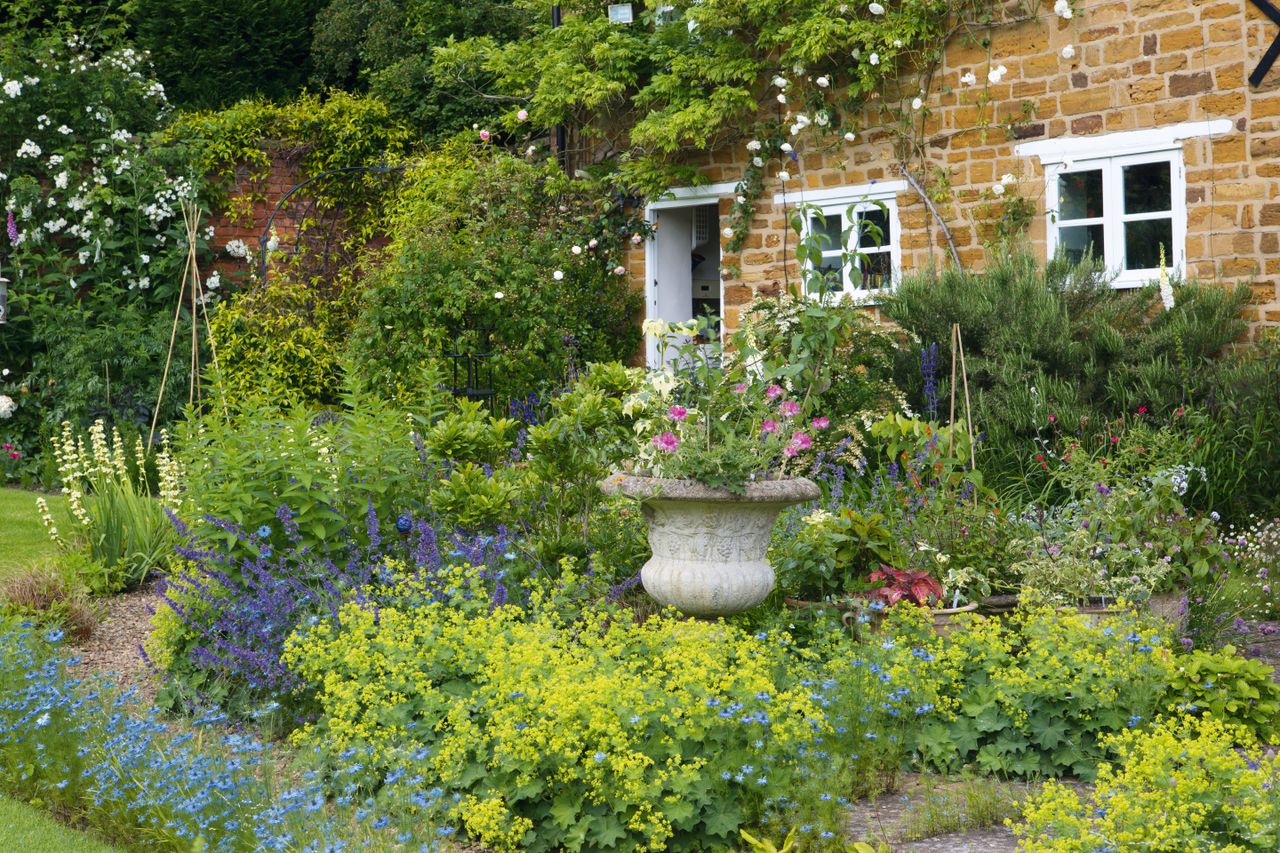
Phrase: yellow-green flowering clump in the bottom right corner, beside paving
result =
(1180, 787)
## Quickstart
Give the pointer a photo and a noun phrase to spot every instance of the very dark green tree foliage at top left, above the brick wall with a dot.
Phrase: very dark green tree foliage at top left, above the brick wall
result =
(211, 56)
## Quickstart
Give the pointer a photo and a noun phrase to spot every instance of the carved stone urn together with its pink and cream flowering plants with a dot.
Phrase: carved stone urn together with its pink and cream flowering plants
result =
(716, 434)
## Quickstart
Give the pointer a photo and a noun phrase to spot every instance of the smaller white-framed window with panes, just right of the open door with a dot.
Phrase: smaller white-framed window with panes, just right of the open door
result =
(860, 235)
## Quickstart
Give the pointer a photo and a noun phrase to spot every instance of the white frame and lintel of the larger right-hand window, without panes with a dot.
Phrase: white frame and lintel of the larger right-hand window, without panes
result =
(1110, 154)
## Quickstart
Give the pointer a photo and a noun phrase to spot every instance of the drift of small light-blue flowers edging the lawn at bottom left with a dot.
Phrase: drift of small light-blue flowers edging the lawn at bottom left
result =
(95, 755)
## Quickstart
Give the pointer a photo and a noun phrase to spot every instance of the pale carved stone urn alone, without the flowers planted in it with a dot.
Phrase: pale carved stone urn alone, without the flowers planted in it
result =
(710, 545)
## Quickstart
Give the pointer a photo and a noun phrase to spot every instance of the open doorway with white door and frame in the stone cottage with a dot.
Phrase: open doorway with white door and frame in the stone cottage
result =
(684, 264)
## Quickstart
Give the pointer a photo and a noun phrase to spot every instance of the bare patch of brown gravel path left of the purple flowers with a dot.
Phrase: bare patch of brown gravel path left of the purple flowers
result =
(115, 650)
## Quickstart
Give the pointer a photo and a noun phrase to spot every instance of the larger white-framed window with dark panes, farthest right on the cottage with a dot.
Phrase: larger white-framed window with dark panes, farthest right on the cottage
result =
(1121, 198)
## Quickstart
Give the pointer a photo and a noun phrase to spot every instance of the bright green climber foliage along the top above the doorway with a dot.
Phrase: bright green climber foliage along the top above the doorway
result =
(696, 75)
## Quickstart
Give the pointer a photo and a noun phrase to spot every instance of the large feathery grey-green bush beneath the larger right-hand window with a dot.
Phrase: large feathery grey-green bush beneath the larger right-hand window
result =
(1054, 340)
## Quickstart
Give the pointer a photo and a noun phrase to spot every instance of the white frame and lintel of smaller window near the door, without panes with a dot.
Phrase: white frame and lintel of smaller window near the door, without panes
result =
(862, 199)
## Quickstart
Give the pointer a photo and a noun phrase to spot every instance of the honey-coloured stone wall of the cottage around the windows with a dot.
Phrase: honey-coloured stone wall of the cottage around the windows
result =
(1139, 65)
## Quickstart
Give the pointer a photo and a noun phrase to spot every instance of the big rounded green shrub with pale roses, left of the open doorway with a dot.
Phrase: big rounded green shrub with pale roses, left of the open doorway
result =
(477, 241)
